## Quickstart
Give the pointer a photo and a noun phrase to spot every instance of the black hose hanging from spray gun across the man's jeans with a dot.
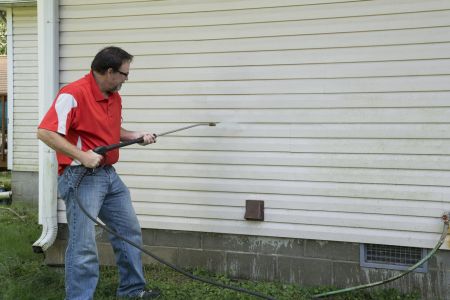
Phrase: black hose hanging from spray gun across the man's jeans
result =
(192, 276)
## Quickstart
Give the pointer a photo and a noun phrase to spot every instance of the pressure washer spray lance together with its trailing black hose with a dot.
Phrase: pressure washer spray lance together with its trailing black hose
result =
(103, 150)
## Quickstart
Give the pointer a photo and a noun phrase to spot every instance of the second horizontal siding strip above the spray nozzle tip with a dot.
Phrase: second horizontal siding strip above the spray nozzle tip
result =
(353, 100)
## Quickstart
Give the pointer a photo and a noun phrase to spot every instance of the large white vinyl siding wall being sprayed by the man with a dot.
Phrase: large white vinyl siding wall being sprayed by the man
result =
(335, 113)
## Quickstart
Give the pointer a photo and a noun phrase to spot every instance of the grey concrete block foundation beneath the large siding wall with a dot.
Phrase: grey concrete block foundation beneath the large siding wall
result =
(302, 262)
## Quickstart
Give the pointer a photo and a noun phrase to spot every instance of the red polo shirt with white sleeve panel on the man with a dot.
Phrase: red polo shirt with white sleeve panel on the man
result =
(81, 113)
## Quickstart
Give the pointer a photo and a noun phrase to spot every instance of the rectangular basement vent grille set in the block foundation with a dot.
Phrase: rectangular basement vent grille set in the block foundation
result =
(391, 257)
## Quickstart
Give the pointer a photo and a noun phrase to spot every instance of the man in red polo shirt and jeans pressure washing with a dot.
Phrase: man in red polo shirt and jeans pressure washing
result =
(87, 114)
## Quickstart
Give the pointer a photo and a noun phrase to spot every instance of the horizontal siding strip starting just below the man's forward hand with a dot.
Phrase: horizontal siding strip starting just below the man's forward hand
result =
(308, 145)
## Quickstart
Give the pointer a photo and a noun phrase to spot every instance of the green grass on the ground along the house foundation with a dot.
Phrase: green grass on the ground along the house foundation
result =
(24, 276)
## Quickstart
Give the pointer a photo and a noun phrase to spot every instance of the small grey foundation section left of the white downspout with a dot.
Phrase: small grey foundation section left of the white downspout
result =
(25, 187)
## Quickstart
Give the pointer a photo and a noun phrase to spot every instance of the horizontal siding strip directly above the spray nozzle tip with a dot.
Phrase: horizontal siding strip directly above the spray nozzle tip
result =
(337, 115)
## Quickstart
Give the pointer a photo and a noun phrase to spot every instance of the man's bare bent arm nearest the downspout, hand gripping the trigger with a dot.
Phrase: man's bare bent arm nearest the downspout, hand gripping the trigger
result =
(57, 142)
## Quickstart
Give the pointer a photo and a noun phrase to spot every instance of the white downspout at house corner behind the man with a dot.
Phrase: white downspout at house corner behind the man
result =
(48, 66)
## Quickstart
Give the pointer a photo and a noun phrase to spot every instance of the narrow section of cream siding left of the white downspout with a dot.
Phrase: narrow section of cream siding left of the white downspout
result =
(25, 144)
